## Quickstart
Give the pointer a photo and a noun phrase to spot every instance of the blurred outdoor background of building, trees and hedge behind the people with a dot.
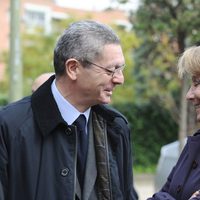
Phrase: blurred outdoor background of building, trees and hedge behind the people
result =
(153, 34)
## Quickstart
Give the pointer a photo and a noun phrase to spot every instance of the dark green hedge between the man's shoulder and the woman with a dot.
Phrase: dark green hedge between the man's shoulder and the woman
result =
(151, 128)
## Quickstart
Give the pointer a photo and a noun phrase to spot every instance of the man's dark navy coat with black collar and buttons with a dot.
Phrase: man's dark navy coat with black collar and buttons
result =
(37, 150)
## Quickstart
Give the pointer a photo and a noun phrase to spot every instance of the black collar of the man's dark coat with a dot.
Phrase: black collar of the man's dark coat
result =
(47, 114)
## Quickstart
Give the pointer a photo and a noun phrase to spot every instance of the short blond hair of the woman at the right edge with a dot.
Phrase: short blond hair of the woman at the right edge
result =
(189, 62)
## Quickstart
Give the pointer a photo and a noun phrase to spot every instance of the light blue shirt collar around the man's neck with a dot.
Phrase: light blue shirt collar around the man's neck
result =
(67, 110)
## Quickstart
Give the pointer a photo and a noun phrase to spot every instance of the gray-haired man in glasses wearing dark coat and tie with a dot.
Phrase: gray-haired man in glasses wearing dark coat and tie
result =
(41, 139)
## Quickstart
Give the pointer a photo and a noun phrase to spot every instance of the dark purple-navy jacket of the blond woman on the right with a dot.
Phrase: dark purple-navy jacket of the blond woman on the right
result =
(184, 179)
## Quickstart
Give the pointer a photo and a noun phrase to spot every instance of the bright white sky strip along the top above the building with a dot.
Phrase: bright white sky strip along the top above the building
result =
(97, 4)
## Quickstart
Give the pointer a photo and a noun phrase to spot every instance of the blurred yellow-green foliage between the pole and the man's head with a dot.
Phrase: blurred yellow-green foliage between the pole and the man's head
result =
(38, 53)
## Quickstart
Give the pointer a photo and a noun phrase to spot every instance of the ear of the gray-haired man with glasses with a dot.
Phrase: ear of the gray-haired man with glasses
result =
(71, 68)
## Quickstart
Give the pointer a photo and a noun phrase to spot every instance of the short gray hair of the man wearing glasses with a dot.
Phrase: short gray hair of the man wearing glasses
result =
(82, 40)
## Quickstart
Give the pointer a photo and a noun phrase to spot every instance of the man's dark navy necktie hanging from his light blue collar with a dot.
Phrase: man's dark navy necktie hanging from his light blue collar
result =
(82, 148)
